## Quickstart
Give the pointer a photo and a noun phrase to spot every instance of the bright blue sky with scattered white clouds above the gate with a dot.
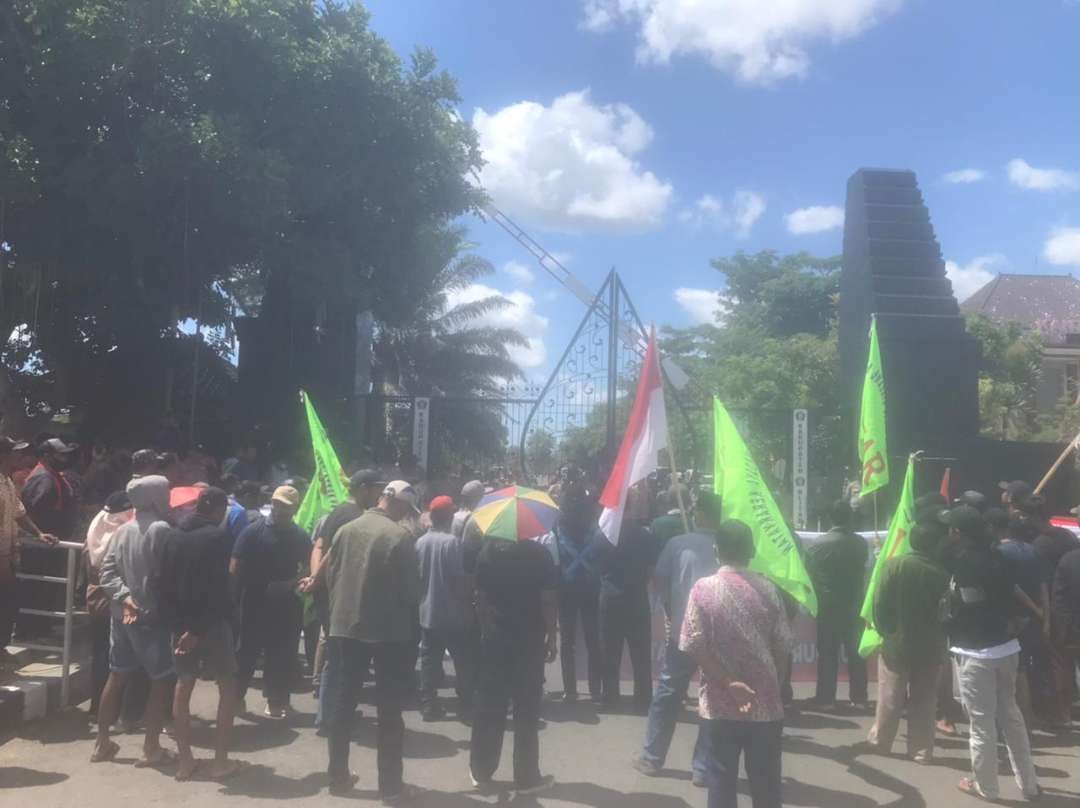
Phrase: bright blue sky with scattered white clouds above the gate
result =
(654, 136)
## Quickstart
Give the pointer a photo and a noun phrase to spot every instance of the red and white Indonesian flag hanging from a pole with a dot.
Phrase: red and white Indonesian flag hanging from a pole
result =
(646, 436)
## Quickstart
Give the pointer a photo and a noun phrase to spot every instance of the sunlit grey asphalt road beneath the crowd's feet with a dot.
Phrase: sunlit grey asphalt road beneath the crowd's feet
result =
(589, 755)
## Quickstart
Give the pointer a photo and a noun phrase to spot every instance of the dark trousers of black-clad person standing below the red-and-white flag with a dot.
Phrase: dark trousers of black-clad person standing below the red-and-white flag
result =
(627, 620)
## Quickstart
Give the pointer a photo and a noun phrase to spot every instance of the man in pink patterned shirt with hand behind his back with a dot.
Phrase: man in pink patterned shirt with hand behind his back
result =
(737, 632)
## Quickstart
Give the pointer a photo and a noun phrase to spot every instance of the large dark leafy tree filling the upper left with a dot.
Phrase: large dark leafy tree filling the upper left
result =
(161, 160)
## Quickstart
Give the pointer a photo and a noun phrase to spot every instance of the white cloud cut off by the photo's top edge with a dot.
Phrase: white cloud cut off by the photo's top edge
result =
(759, 42)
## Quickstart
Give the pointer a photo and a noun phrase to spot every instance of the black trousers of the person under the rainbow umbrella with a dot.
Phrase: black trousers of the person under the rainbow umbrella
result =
(509, 671)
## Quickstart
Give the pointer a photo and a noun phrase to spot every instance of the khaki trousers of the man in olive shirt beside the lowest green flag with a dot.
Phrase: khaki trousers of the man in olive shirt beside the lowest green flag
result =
(917, 691)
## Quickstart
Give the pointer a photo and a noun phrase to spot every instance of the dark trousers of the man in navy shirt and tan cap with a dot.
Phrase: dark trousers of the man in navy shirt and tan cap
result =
(275, 632)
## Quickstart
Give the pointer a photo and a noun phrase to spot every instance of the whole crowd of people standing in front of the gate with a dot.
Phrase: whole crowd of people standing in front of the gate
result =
(390, 583)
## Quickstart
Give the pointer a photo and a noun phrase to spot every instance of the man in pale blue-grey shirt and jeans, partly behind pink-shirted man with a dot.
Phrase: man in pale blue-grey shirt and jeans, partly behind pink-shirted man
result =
(684, 561)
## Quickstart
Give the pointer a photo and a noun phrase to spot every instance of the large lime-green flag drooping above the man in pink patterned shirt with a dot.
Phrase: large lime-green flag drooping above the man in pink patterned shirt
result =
(747, 499)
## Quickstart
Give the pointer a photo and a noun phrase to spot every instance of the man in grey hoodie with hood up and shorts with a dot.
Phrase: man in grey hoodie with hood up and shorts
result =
(140, 640)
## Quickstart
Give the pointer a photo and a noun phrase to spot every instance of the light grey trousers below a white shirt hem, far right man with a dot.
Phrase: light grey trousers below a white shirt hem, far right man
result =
(989, 693)
